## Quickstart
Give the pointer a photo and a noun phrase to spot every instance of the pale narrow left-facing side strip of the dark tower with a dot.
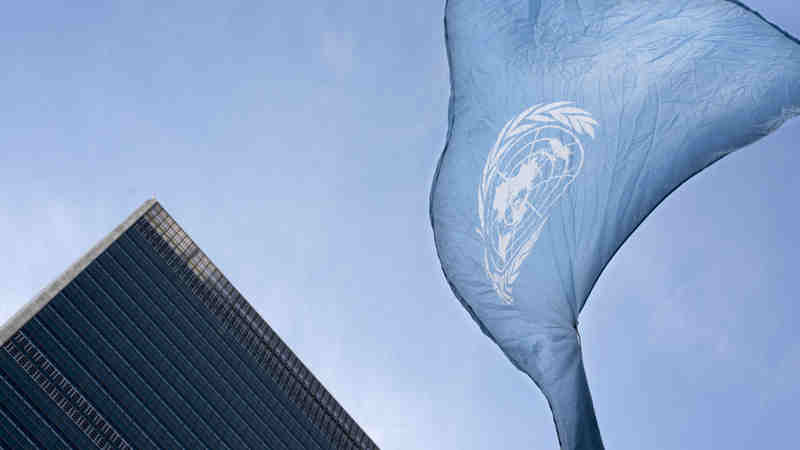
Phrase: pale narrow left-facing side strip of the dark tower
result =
(40, 300)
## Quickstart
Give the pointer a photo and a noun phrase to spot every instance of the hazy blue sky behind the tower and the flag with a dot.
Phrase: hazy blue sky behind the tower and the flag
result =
(291, 138)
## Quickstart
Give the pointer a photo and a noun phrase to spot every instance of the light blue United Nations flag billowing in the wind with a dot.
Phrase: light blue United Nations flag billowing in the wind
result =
(570, 120)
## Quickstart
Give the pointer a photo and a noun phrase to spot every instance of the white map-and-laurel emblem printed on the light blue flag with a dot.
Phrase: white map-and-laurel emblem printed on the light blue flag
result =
(536, 157)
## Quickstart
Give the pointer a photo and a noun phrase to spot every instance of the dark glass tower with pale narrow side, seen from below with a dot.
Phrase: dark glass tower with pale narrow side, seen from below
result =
(143, 343)
